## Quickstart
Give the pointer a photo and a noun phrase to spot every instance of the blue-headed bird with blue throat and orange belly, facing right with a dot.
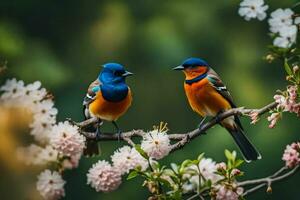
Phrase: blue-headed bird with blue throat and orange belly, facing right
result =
(107, 98)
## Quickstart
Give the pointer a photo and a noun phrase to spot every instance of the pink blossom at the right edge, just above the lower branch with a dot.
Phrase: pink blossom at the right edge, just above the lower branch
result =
(291, 155)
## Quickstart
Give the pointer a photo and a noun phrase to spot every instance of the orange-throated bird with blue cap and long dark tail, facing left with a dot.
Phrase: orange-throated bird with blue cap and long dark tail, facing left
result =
(208, 96)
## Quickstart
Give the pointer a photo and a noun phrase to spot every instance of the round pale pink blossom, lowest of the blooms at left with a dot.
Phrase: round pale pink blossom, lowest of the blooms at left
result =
(50, 185)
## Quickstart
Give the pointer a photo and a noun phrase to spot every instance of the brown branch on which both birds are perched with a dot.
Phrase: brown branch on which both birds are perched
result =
(181, 138)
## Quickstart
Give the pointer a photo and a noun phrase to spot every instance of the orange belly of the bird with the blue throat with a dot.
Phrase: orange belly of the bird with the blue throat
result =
(109, 111)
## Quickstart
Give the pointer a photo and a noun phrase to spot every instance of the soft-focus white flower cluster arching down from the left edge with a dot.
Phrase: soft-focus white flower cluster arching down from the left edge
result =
(32, 98)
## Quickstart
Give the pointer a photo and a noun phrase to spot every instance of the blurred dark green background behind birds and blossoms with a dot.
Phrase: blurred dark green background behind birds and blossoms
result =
(63, 44)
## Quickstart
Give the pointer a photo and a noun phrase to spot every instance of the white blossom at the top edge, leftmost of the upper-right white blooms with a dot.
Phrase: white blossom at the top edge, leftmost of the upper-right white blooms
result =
(253, 9)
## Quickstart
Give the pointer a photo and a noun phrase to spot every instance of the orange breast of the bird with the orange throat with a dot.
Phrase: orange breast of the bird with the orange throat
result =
(204, 99)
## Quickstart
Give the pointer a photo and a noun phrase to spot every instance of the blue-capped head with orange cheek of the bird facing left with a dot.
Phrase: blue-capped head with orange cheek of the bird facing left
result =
(193, 67)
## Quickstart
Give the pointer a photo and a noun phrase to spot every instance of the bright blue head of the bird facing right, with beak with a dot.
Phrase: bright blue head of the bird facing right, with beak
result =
(113, 73)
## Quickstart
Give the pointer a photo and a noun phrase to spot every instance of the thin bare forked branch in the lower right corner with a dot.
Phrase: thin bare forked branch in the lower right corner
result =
(277, 176)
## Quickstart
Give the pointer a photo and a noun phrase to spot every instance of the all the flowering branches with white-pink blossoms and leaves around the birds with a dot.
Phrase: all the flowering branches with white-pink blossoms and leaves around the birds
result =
(58, 146)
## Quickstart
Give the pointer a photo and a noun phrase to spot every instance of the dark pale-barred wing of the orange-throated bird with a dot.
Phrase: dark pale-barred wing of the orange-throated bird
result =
(217, 83)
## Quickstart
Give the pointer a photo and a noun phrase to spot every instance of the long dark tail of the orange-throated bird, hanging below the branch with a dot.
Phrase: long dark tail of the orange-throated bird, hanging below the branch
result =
(248, 150)
